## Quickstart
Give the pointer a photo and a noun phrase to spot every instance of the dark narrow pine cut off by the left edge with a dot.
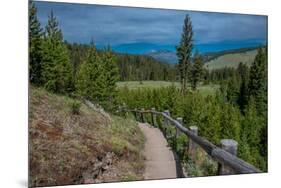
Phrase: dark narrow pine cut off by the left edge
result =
(35, 46)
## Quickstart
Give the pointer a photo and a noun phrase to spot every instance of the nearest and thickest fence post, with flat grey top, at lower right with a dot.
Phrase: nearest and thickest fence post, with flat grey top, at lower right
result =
(230, 146)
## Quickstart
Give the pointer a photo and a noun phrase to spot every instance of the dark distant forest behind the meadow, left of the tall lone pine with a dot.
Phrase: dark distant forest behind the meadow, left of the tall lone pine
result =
(131, 67)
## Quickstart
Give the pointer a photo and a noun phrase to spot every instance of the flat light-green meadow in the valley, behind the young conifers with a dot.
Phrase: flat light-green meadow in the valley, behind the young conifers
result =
(203, 89)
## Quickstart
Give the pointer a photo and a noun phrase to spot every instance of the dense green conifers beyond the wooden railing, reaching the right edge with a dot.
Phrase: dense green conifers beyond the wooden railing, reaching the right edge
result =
(237, 111)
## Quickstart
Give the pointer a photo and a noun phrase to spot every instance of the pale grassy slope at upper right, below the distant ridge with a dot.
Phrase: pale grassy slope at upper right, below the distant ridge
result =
(231, 60)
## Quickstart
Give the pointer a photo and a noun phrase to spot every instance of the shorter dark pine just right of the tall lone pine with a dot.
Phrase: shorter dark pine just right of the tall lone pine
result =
(196, 71)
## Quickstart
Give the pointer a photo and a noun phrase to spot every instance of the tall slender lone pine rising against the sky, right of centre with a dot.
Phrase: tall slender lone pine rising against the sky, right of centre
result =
(184, 52)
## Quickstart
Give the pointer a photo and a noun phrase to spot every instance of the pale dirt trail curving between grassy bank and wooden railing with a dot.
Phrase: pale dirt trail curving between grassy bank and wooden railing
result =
(160, 162)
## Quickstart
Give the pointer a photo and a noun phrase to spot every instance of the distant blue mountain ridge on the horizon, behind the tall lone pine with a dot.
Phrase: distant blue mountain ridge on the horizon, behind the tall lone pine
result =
(167, 53)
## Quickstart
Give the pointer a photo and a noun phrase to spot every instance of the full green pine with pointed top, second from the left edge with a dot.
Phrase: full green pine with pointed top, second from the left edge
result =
(56, 72)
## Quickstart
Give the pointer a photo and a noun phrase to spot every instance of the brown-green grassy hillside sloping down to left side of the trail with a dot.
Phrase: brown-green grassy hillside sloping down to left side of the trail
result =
(72, 145)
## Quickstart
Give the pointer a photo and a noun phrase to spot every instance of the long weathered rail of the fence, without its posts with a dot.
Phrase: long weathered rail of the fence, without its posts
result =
(220, 155)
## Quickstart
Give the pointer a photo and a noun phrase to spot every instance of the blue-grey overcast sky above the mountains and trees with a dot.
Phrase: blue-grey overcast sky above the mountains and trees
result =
(119, 25)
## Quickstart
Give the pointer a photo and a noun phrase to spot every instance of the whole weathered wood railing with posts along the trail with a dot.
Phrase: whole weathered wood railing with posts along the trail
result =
(225, 155)
